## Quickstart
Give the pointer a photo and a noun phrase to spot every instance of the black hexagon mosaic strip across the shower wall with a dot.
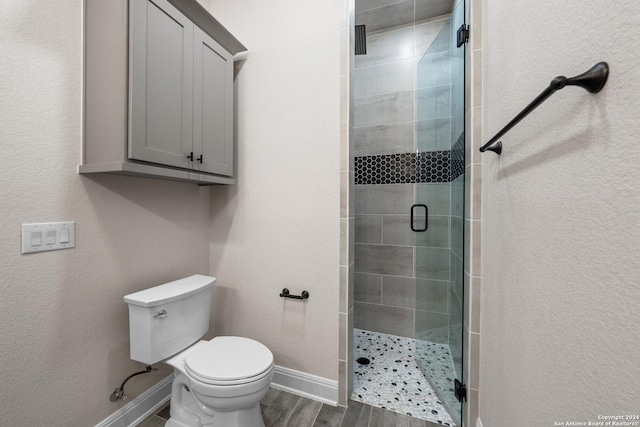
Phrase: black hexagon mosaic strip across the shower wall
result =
(411, 168)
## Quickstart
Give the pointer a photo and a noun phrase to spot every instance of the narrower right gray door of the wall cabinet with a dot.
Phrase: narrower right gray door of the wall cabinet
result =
(213, 105)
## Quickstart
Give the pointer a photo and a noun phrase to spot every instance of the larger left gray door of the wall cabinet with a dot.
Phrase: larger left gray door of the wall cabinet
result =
(161, 84)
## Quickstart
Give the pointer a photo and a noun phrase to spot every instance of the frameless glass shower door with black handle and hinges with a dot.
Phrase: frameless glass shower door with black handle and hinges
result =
(439, 211)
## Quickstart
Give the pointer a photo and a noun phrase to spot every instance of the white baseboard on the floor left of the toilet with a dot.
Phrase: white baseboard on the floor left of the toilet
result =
(140, 407)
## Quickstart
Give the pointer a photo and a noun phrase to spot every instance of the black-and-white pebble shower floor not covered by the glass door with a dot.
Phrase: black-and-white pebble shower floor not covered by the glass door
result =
(392, 379)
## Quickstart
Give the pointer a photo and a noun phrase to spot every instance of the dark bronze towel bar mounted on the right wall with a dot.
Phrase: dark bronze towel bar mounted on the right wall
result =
(592, 81)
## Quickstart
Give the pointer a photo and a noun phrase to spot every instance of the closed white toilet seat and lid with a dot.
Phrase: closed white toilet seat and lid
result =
(229, 361)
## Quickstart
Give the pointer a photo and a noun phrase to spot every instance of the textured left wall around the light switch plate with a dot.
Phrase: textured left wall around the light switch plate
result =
(63, 323)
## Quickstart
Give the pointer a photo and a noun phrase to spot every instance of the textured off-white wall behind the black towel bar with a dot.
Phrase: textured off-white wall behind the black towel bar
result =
(561, 216)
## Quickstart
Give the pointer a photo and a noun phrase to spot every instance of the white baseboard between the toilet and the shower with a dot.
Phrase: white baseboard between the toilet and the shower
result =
(305, 385)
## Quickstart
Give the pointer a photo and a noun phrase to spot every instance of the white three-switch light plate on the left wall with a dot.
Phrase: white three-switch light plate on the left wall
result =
(48, 236)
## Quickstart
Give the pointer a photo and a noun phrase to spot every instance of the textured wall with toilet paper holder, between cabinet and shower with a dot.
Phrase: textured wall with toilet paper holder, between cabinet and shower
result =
(279, 227)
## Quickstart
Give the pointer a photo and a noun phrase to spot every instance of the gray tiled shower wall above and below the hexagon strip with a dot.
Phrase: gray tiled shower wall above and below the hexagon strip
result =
(401, 277)
